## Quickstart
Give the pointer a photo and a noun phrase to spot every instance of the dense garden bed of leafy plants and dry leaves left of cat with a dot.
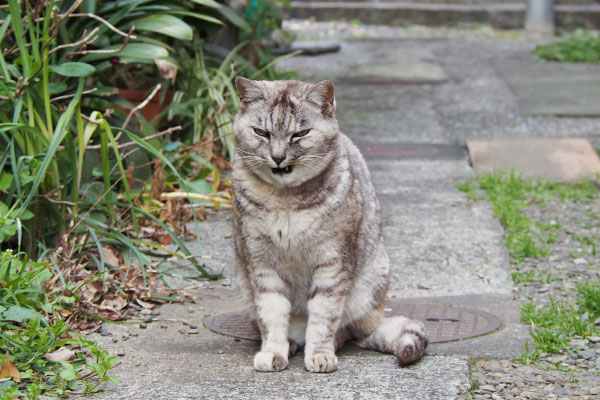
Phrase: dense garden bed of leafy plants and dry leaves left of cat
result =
(95, 196)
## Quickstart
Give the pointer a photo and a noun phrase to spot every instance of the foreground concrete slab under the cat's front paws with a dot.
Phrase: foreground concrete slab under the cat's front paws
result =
(160, 363)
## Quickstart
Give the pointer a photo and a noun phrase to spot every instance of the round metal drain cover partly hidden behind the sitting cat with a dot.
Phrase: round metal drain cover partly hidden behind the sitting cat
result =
(444, 323)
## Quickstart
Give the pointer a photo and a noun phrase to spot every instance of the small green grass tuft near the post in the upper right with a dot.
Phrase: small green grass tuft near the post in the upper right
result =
(581, 46)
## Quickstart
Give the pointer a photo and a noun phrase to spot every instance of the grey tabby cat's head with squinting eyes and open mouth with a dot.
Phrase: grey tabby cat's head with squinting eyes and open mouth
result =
(285, 131)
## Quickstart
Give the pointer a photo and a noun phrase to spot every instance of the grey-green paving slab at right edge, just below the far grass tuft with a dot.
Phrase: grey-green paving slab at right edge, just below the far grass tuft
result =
(549, 88)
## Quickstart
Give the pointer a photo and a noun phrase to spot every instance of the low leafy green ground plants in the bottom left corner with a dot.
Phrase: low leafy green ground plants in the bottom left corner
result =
(47, 357)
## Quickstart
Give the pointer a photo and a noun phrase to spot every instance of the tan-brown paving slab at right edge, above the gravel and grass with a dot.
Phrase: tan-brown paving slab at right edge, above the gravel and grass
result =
(562, 160)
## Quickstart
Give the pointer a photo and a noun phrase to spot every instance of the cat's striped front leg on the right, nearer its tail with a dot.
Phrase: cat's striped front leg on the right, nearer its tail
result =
(325, 310)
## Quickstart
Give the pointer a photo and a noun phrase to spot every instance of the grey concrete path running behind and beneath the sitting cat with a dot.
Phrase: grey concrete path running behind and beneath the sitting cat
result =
(443, 248)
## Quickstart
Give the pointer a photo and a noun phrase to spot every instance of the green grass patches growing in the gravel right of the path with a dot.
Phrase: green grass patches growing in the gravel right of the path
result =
(552, 327)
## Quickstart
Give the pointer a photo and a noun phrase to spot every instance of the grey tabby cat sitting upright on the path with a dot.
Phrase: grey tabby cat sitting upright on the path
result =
(309, 250)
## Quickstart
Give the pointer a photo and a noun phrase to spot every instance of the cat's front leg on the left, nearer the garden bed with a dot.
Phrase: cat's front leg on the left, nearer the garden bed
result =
(273, 312)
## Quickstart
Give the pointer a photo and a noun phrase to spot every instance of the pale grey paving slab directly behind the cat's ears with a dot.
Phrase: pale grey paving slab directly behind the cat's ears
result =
(388, 61)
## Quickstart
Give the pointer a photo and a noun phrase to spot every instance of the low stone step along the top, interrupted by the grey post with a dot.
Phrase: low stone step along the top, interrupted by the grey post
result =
(499, 15)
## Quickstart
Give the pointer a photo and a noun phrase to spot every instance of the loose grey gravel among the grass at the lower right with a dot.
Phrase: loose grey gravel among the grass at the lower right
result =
(573, 375)
